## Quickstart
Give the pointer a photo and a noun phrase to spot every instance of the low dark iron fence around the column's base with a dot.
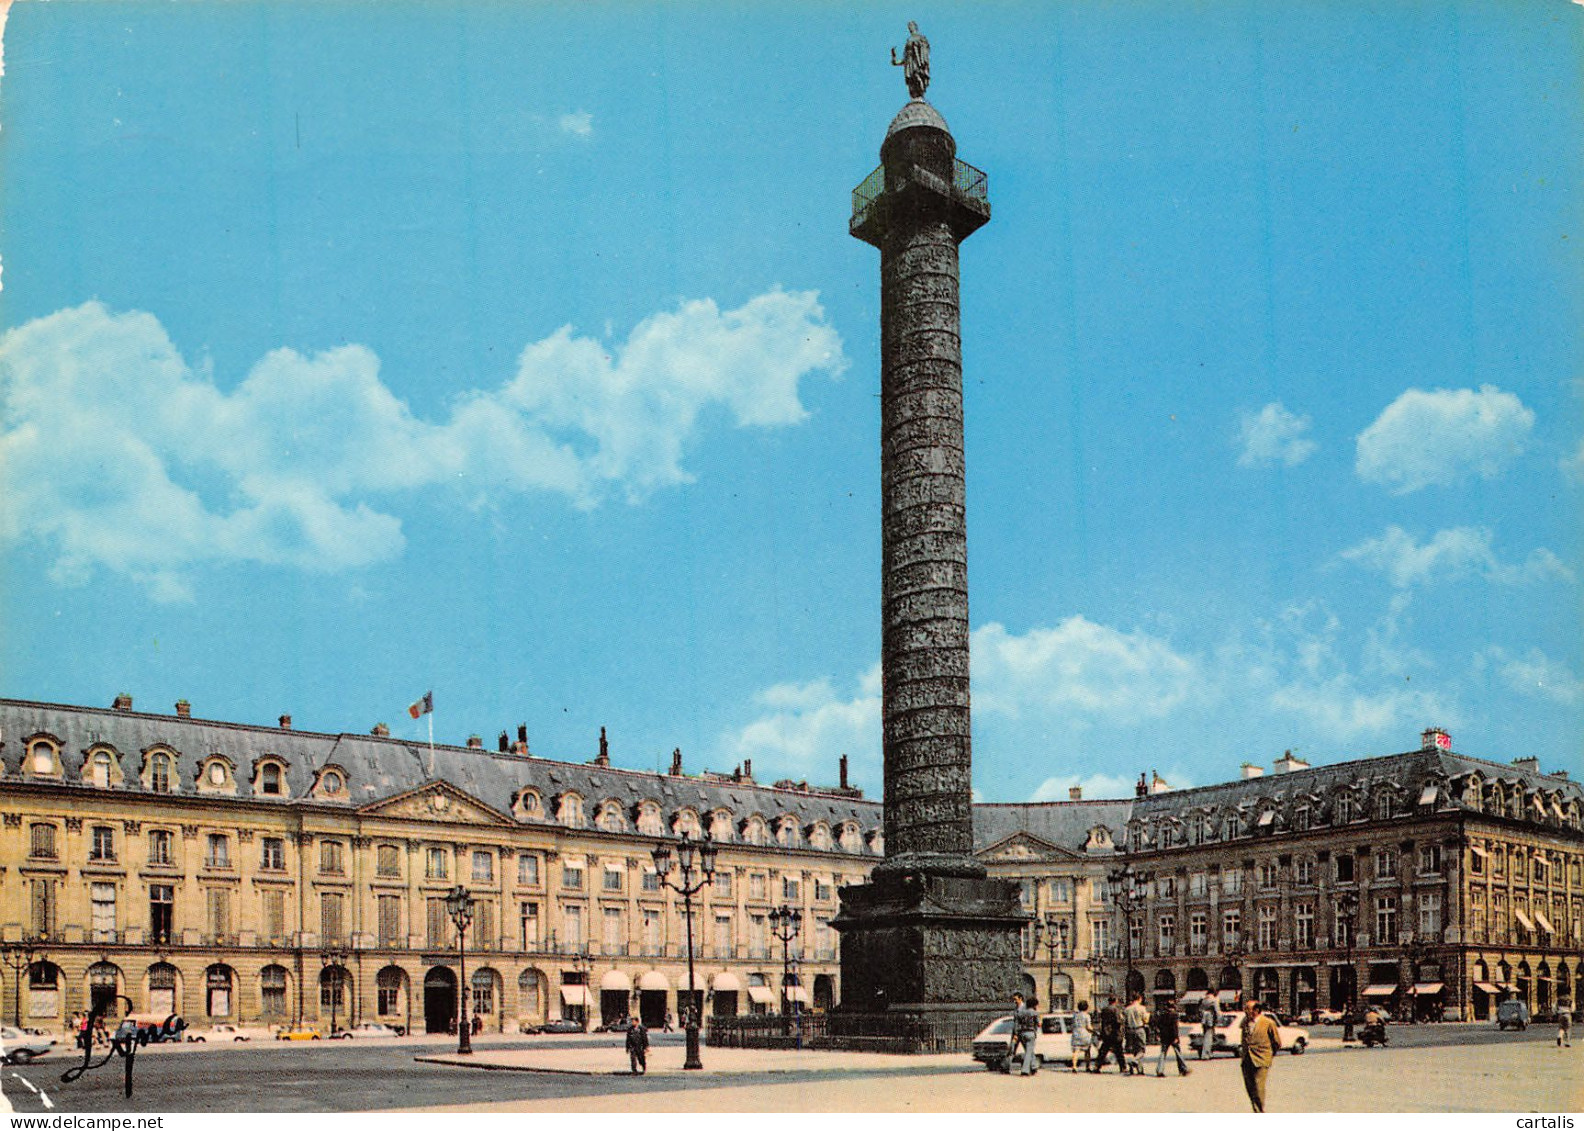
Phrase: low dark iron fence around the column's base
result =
(847, 1034)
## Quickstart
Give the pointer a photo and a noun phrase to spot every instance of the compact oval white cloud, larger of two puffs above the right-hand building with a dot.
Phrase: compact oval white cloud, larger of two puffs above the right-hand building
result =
(1442, 436)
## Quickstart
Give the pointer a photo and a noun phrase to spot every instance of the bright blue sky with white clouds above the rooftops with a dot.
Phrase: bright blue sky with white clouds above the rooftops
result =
(520, 352)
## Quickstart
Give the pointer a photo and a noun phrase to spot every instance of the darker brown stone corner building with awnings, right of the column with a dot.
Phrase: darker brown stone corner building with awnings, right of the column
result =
(1431, 883)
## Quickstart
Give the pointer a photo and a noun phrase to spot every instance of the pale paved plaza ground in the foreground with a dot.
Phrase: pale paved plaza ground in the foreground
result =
(1434, 1068)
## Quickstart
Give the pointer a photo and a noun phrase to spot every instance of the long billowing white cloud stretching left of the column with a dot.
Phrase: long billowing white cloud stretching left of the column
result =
(121, 455)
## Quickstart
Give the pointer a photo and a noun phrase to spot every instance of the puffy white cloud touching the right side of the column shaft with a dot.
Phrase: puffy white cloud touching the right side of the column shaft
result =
(1078, 669)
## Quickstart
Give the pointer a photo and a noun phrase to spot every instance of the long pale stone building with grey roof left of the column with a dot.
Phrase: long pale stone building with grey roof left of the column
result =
(270, 875)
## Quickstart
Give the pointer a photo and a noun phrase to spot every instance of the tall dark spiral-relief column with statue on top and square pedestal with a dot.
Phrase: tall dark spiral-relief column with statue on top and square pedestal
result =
(931, 943)
